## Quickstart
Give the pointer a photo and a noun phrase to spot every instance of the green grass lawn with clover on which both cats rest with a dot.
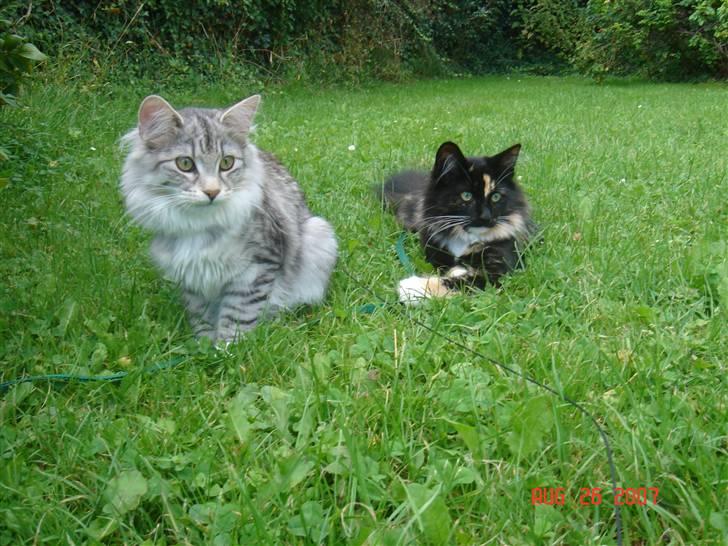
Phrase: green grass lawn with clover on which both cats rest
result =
(334, 426)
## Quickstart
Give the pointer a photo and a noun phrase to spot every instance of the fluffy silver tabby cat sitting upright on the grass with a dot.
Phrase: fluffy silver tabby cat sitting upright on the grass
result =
(231, 225)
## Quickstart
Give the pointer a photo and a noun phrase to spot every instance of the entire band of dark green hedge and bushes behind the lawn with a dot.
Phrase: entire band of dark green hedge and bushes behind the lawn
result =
(382, 39)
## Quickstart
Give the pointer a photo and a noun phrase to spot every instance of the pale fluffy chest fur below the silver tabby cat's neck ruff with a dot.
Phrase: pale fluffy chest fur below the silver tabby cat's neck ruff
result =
(203, 262)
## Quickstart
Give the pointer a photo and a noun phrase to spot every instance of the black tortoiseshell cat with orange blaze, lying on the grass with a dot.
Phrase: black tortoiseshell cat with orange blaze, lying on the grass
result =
(468, 211)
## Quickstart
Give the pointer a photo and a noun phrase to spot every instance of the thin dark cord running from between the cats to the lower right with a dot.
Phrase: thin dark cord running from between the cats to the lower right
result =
(529, 379)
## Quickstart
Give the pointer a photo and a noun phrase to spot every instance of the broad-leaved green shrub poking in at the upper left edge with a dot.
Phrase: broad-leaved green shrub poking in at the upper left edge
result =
(17, 56)
